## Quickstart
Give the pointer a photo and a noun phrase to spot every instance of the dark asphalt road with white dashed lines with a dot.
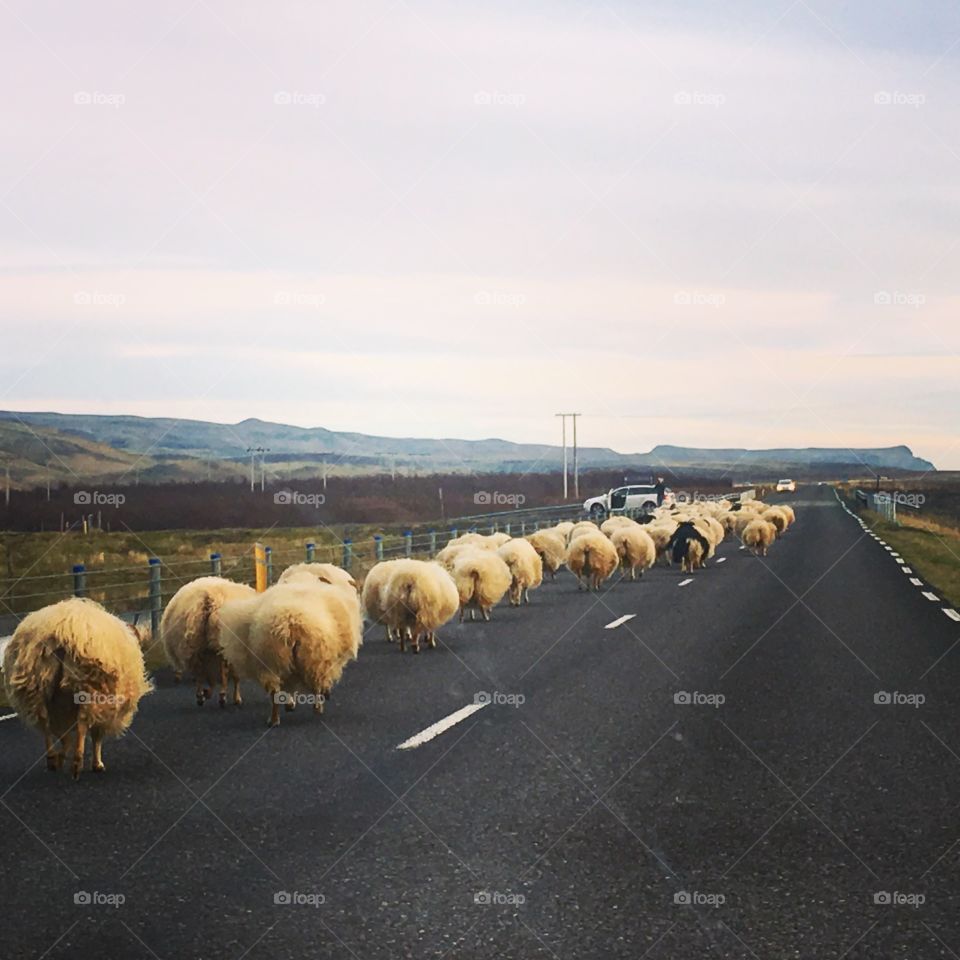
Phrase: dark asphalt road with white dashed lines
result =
(565, 819)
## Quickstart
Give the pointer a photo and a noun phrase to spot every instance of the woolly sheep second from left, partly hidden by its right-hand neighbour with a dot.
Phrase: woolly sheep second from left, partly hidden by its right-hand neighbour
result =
(190, 633)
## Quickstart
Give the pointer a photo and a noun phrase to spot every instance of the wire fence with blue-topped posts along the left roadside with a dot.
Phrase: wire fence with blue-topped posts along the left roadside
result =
(145, 588)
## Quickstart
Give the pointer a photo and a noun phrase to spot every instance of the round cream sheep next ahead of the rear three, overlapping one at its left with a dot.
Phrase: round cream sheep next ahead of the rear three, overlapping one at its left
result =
(417, 599)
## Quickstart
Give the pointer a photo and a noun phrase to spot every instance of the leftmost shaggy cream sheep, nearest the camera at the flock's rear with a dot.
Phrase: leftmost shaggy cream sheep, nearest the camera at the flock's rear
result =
(71, 669)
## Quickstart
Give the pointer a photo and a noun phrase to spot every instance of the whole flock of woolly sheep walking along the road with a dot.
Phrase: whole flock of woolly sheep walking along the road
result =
(73, 669)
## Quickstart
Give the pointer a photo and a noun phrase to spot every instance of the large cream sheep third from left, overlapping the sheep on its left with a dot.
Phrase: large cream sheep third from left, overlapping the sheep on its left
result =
(294, 639)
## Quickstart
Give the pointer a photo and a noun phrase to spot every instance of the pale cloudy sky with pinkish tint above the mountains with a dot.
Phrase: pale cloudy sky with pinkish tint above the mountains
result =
(694, 223)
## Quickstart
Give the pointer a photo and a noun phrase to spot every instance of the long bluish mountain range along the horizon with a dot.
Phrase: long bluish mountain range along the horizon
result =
(168, 449)
